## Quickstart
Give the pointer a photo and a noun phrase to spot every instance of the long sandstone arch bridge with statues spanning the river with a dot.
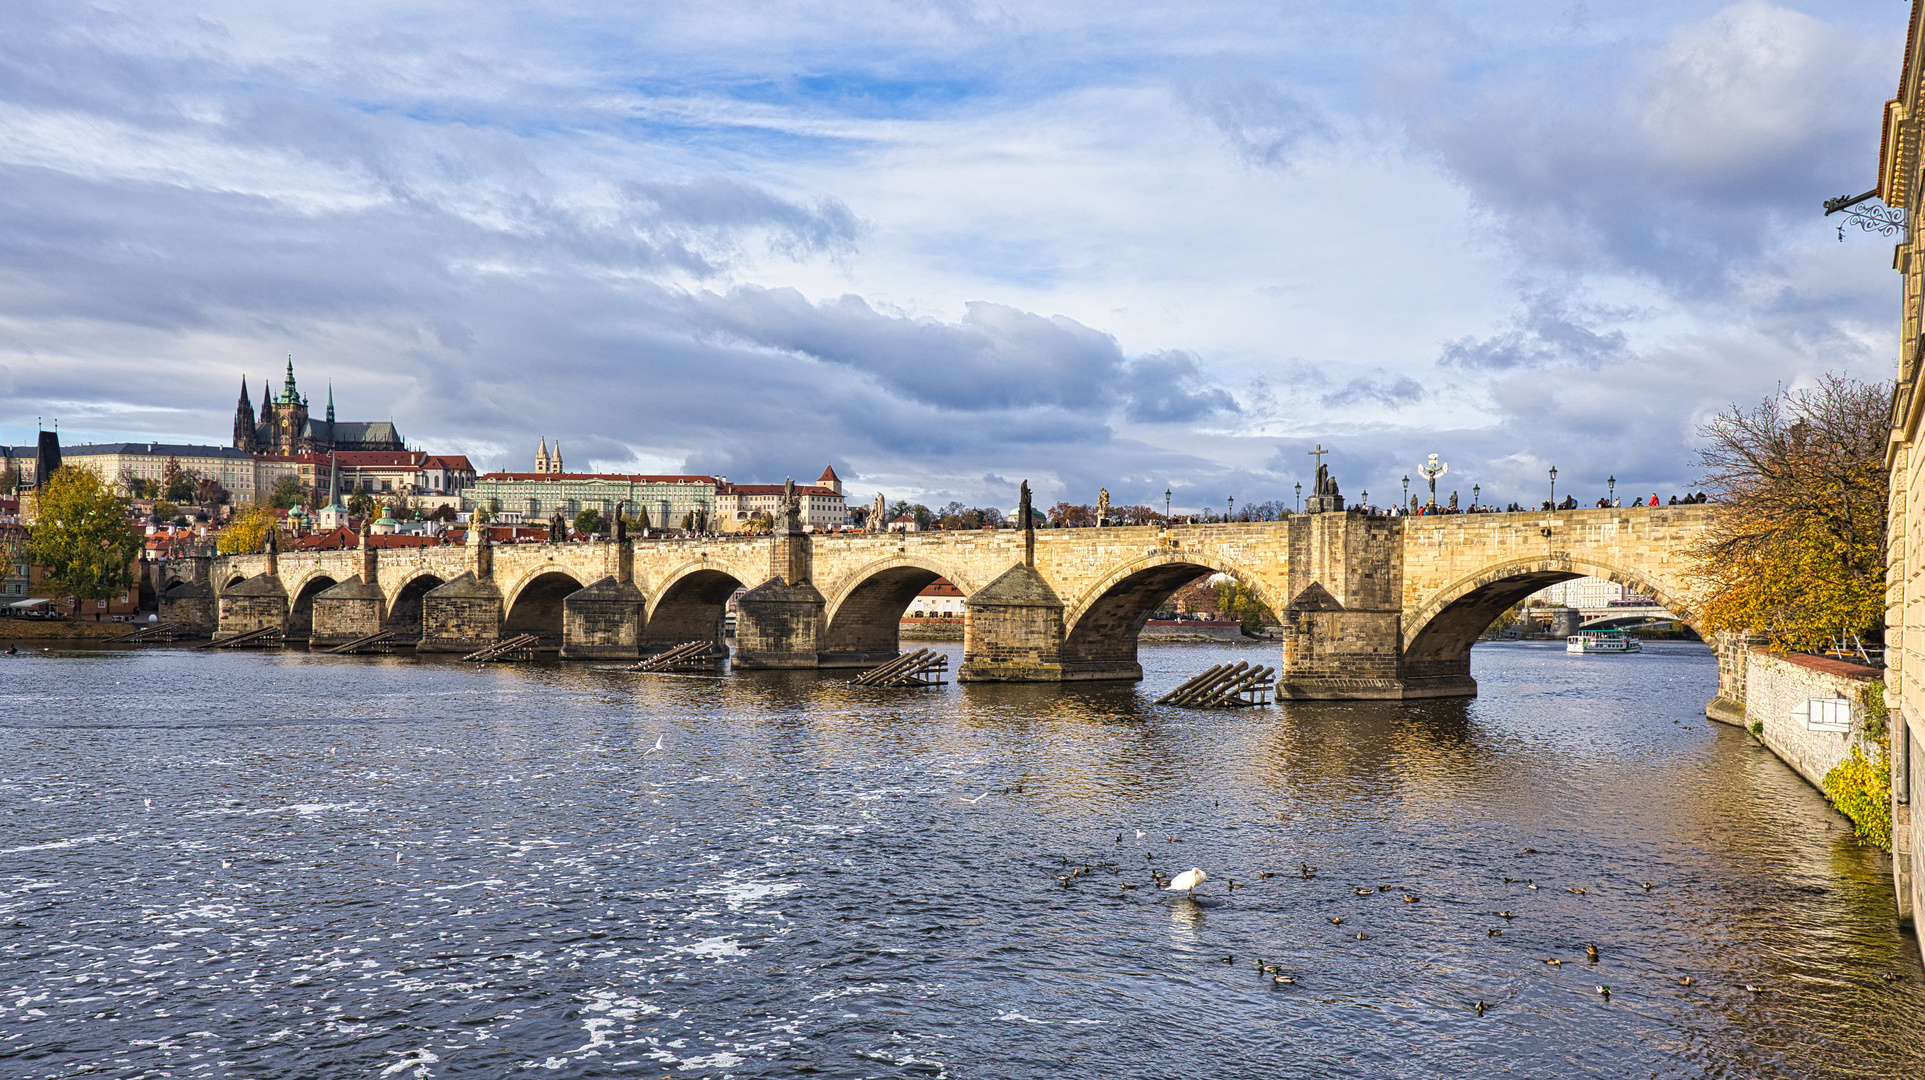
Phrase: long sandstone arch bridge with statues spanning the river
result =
(1372, 607)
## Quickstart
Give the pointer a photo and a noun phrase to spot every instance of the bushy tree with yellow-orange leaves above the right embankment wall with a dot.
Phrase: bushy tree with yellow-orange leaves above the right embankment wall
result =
(1797, 542)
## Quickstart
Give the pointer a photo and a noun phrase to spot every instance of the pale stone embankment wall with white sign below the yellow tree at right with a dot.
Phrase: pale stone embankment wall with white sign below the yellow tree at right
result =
(1778, 696)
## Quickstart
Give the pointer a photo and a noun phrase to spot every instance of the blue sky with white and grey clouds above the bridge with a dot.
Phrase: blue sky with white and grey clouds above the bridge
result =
(952, 245)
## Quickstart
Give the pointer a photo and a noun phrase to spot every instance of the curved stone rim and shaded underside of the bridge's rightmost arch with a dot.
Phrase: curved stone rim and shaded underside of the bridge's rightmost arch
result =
(1439, 636)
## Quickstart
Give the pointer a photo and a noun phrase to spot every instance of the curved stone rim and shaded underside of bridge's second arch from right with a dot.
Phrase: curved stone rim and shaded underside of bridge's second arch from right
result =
(1104, 629)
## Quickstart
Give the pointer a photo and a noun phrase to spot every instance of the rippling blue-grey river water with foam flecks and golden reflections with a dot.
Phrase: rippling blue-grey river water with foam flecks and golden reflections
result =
(292, 865)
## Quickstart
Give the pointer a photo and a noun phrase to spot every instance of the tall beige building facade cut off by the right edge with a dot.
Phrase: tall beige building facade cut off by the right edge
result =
(1901, 186)
